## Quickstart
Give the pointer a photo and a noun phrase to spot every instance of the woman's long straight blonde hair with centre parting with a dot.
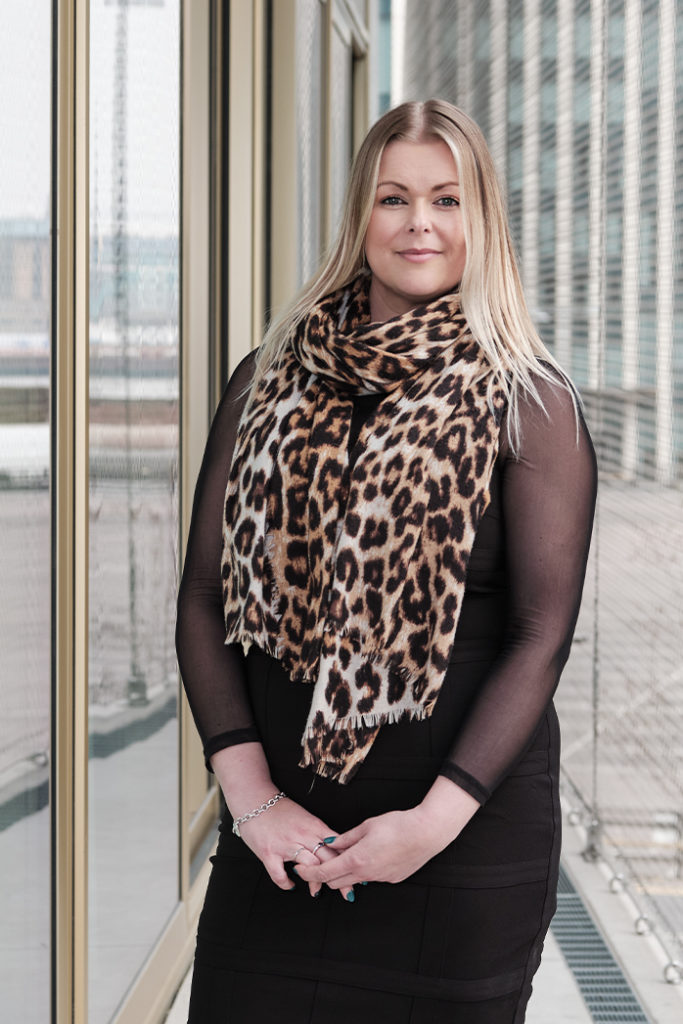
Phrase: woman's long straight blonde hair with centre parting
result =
(491, 290)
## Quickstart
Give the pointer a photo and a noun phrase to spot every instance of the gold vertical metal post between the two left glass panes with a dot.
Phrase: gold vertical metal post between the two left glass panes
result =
(70, 505)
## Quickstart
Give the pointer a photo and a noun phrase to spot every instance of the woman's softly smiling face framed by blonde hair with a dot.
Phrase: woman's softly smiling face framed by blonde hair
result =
(415, 243)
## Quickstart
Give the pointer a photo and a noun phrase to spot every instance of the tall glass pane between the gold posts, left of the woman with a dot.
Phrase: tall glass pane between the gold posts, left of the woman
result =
(134, 795)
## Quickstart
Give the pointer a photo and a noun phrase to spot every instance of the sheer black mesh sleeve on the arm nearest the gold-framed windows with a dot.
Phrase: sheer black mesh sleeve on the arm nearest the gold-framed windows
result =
(212, 672)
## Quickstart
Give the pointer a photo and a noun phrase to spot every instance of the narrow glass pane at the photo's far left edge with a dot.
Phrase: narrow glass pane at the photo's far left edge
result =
(25, 510)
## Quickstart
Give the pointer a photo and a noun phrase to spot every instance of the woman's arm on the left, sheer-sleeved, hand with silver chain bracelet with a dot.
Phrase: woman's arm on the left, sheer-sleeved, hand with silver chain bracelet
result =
(214, 673)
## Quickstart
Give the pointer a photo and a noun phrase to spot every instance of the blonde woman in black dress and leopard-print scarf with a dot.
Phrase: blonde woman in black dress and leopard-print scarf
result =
(402, 550)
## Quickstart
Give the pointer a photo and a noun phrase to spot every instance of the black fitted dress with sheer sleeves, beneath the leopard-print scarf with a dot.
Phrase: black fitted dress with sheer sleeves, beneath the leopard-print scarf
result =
(460, 941)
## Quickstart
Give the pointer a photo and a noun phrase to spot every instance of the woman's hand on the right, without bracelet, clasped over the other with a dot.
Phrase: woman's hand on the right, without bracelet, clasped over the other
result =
(394, 846)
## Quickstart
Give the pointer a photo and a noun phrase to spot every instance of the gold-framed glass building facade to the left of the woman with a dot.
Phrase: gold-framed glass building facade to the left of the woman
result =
(173, 173)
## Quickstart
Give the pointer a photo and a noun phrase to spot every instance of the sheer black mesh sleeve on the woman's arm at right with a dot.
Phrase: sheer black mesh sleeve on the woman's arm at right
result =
(549, 493)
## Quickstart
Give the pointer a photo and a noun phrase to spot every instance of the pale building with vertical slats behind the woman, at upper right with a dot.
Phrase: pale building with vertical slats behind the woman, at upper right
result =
(582, 106)
